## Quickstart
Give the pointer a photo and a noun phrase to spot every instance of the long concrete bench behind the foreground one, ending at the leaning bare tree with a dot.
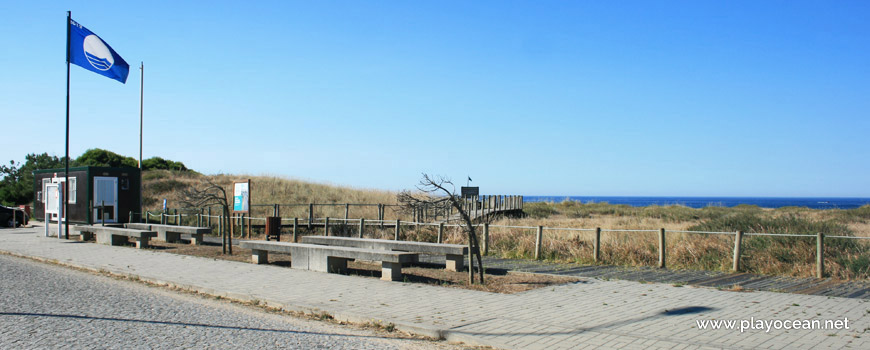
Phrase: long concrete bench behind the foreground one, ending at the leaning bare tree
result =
(454, 253)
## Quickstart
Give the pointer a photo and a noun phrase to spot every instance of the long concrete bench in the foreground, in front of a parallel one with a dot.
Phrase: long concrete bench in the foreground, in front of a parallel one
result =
(324, 258)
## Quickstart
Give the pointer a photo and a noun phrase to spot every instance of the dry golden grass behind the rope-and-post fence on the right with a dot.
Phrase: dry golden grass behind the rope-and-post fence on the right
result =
(792, 256)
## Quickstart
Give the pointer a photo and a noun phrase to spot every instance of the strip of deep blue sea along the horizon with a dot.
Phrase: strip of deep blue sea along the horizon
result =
(701, 202)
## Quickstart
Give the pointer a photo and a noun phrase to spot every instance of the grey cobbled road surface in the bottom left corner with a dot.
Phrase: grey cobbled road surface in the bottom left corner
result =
(47, 306)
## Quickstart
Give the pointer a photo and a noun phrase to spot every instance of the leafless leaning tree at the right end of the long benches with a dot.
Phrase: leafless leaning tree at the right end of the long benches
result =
(440, 192)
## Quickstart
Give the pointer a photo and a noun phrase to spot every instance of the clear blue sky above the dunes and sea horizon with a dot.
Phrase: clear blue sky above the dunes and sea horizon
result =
(673, 98)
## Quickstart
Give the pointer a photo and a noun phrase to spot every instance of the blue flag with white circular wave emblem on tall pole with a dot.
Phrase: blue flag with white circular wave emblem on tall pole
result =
(90, 52)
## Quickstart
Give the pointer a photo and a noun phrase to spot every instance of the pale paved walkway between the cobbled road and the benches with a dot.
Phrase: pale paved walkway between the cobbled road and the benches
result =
(588, 314)
